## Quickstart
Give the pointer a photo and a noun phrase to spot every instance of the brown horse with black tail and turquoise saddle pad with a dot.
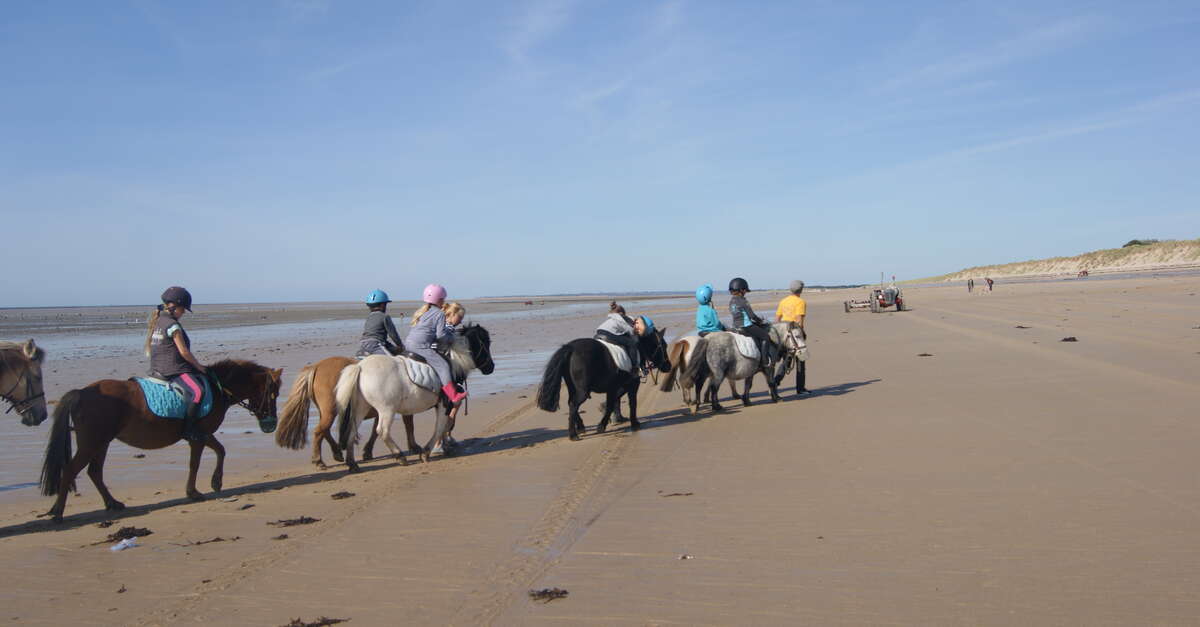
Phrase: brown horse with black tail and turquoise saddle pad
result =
(110, 409)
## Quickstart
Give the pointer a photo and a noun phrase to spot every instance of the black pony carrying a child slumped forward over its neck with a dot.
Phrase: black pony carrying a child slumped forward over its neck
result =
(586, 366)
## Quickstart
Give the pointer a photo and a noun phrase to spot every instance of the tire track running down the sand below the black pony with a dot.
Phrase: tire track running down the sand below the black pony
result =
(551, 536)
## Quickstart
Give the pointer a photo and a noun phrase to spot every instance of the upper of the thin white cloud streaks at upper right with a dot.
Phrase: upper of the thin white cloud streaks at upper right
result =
(1029, 45)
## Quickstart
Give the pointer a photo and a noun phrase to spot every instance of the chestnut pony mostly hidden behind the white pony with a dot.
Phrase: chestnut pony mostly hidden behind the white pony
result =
(316, 384)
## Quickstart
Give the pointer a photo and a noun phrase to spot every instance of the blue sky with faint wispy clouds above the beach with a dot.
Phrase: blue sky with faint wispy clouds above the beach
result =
(307, 150)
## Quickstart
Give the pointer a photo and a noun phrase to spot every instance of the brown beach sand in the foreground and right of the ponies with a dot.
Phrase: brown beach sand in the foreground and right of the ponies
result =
(1007, 479)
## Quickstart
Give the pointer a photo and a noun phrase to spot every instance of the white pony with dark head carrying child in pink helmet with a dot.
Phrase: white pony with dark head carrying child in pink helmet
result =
(382, 384)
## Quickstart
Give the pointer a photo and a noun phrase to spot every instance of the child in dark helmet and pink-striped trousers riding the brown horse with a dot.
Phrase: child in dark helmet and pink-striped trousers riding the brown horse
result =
(171, 356)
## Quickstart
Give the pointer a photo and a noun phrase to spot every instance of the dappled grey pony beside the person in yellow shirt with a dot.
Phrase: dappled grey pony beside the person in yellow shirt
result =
(717, 356)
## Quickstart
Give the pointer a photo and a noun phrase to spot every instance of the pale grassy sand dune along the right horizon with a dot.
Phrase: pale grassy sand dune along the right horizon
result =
(1137, 254)
